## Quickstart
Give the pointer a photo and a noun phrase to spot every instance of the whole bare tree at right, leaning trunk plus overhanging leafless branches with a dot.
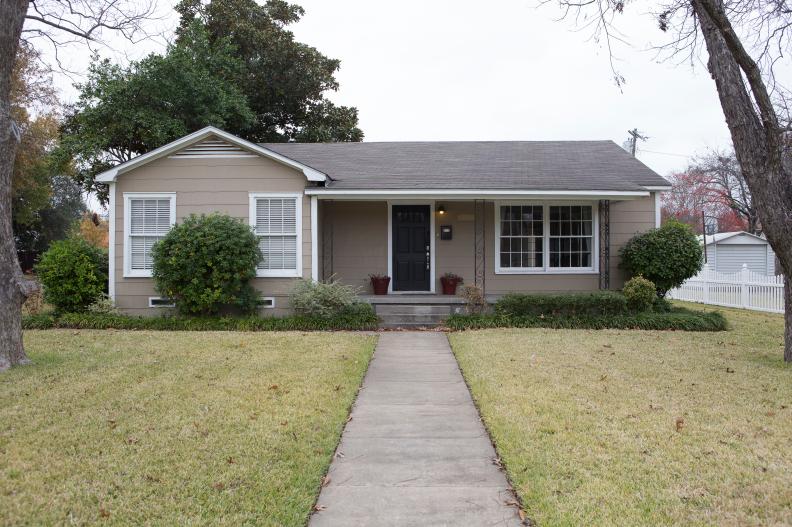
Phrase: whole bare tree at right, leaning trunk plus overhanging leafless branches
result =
(744, 40)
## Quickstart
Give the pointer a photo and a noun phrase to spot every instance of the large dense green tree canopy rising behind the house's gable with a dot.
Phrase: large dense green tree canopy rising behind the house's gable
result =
(233, 65)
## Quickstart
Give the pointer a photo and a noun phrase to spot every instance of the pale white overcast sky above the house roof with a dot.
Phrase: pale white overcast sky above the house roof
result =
(465, 70)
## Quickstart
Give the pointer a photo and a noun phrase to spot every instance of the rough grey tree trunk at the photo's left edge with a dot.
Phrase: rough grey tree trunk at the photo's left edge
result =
(14, 289)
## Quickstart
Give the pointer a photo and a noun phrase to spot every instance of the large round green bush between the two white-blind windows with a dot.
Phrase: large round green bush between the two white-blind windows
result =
(206, 263)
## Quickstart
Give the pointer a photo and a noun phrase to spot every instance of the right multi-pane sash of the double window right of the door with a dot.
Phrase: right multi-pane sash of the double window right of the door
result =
(571, 236)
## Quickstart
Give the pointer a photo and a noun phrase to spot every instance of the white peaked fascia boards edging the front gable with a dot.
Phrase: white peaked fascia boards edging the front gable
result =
(110, 175)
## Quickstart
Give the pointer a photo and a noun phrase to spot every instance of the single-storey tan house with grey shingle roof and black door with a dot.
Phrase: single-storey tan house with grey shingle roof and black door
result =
(537, 216)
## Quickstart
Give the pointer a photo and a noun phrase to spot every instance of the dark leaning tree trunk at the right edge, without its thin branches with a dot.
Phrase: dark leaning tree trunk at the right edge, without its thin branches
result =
(757, 137)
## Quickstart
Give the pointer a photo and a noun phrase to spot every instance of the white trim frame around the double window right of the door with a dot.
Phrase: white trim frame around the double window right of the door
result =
(546, 269)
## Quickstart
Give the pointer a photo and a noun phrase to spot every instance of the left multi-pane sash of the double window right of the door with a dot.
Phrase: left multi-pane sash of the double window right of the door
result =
(521, 236)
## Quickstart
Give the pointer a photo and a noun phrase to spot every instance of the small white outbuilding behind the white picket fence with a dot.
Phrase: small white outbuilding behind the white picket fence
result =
(728, 251)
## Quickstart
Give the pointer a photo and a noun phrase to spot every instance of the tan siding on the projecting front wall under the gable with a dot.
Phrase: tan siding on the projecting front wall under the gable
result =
(202, 186)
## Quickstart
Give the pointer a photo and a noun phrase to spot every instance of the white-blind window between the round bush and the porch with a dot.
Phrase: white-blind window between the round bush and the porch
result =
(276, 226)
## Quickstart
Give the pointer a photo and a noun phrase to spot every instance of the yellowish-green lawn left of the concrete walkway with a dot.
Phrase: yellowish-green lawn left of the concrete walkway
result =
(132, 428)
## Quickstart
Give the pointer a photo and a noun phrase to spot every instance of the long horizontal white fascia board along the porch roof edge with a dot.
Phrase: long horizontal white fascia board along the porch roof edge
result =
(474, 194)
